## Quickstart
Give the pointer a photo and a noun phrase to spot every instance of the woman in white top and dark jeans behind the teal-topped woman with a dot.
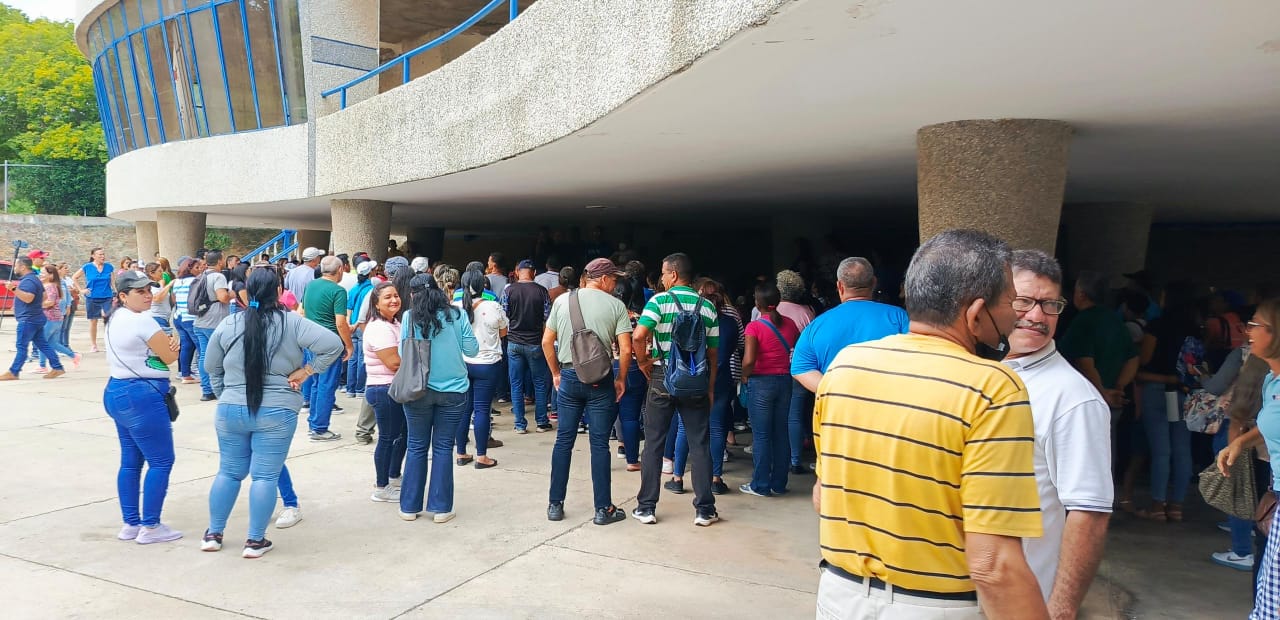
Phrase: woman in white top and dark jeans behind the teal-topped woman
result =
(490, 325)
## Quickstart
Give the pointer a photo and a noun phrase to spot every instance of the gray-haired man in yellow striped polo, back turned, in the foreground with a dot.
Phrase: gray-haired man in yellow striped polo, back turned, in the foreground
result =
(926, 480)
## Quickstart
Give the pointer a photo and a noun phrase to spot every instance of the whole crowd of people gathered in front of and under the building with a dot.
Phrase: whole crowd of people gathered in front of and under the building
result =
(963, 445)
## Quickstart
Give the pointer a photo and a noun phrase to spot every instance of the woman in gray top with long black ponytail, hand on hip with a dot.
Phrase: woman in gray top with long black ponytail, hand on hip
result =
(255, 367)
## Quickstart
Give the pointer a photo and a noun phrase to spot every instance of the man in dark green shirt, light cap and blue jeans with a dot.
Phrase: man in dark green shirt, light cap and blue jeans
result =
(326, 304)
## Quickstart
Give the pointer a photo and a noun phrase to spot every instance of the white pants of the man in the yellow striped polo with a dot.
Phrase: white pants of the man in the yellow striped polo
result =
(839, 599)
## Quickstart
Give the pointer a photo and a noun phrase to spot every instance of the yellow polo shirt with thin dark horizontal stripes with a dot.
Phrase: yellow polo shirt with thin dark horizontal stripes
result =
(920, 443)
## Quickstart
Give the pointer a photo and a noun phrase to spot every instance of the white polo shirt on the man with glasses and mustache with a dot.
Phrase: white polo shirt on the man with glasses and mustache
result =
(1073, 452)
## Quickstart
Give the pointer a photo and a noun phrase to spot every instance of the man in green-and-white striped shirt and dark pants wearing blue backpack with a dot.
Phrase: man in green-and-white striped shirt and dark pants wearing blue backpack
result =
(656, 325)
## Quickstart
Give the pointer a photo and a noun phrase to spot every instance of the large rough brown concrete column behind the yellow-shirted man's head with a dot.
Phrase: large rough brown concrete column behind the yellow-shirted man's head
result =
(1005, 177)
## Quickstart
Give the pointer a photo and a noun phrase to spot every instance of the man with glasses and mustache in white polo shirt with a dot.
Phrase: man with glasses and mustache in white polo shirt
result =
(1073, 441)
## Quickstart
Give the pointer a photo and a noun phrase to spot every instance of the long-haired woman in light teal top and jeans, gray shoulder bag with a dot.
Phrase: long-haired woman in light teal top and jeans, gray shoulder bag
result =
(435, 420)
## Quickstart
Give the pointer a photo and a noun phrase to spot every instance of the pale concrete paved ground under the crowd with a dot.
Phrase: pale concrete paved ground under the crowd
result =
(351, 558)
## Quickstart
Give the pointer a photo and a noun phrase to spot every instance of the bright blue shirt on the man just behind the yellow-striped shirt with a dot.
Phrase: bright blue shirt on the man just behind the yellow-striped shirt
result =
(849, 323)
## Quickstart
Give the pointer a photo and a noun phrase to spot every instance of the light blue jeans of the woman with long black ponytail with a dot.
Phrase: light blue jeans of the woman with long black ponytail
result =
(253, 445)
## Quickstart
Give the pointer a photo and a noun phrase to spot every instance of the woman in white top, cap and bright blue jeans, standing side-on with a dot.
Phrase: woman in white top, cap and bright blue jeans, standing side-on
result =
(139, 354)
